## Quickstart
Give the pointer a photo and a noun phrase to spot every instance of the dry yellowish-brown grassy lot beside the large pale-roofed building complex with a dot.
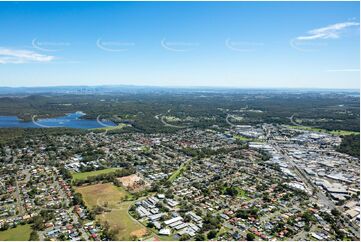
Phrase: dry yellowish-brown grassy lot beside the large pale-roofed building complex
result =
(110, 196)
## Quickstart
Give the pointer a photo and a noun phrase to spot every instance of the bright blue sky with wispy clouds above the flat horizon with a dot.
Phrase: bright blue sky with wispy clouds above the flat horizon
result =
(220, 44)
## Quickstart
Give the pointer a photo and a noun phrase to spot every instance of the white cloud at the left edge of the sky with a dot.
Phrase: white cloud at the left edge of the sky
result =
(22, 56)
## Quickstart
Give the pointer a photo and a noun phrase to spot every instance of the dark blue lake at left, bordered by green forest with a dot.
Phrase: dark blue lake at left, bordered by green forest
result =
(71, 120)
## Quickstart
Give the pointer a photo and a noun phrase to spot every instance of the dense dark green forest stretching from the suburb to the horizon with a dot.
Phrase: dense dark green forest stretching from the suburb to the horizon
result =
(203, 109)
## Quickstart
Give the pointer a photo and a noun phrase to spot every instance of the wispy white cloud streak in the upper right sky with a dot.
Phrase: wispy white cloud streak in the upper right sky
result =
(329, 32)
